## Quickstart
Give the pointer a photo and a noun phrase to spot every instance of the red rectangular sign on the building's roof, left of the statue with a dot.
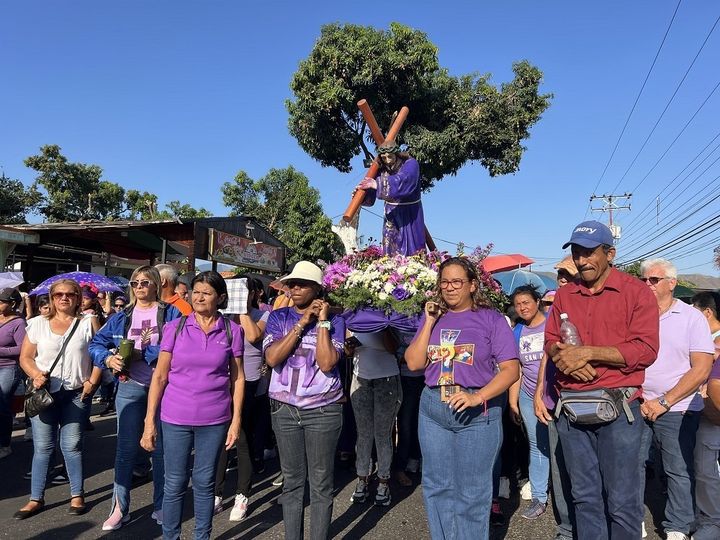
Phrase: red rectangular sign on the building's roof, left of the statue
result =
(232, 249)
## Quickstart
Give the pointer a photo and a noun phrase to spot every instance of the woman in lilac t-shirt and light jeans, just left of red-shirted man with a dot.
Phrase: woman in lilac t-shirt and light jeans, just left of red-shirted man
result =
(530, 336)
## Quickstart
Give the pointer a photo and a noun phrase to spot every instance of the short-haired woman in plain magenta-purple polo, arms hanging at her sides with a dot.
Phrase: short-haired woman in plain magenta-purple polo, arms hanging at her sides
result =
(200, 380)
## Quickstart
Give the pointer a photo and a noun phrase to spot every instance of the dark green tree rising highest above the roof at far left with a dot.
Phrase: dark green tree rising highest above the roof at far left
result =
(74, 191)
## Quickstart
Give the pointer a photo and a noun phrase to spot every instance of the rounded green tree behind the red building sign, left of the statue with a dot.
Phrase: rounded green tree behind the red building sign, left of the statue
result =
(283, 202)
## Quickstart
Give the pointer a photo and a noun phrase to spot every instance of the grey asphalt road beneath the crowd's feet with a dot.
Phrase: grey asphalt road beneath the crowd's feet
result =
(404, 519)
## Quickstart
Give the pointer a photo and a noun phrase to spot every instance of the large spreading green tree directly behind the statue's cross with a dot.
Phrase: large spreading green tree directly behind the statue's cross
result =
(452, 120)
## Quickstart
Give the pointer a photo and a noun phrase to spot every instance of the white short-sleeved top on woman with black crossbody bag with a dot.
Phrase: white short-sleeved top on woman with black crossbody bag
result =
(75, 365)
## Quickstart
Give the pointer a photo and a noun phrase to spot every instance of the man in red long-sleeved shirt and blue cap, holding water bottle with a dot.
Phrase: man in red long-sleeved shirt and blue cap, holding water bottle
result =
(617, 320)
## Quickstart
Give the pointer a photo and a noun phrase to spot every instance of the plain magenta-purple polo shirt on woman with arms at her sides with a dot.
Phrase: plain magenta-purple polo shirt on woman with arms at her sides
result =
(198, 389)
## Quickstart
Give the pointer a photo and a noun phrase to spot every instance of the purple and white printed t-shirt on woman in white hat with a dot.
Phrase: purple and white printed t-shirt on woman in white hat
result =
(298, 380)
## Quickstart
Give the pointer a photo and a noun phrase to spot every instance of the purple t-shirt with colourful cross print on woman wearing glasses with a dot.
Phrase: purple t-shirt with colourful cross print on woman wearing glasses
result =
(466, 347)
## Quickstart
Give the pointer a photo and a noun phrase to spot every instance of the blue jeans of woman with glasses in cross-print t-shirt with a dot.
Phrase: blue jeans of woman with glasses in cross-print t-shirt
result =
(459, 450)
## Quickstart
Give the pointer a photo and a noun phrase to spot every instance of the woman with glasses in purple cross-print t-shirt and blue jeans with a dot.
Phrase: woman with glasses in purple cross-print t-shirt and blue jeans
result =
(470, 359)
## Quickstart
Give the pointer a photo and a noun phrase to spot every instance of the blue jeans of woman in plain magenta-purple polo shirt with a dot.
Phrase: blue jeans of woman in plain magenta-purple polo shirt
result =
(179, 444)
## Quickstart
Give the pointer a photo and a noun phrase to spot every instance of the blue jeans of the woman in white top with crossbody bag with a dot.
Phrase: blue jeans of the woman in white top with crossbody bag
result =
(69, 413)
